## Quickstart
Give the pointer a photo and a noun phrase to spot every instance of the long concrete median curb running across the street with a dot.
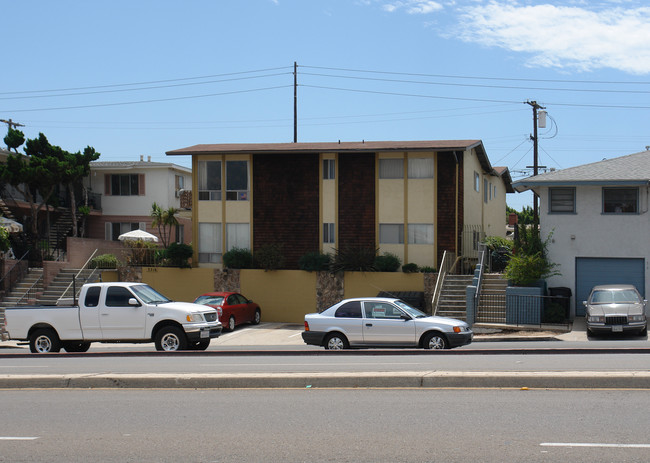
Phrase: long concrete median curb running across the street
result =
(409, 379)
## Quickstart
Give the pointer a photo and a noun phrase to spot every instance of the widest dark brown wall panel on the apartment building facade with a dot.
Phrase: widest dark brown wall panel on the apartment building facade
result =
(286, 204)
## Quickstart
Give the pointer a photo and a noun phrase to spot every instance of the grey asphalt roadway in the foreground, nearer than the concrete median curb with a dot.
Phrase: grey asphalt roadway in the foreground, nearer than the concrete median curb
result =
(311, 425)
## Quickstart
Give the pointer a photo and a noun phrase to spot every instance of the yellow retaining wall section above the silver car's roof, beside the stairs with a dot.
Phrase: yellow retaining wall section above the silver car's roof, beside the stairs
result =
(367, 284)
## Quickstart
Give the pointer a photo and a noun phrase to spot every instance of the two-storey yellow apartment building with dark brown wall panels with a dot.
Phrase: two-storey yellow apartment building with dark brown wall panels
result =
(414, 199)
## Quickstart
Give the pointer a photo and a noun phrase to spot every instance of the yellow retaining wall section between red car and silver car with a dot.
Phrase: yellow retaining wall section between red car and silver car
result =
(284, 296)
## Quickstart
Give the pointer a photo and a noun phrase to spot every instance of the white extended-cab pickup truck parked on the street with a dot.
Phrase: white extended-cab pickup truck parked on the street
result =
(114, 312)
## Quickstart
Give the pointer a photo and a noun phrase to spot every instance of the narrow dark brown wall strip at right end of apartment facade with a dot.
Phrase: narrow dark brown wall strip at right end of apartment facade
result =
(446, 181)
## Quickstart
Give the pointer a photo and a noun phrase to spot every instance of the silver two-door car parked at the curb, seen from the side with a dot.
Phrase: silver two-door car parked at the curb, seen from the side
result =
(382, 322)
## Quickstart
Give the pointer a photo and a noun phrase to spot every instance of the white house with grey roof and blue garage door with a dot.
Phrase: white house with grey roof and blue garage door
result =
(598, 214)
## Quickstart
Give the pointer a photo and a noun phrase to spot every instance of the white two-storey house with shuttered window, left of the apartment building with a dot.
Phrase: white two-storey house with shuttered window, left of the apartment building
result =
(128, 191)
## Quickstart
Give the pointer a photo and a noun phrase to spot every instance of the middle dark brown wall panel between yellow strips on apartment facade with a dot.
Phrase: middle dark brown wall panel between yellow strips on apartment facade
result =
(356, 220)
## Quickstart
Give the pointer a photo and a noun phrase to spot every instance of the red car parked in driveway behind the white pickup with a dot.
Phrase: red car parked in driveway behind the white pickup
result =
(233, 308)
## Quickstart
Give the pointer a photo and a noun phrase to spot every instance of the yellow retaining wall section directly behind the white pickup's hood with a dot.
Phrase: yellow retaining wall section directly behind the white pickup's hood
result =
(179, 284)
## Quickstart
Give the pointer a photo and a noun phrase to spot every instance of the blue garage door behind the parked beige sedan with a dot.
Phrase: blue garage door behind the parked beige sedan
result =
(592, 271)
